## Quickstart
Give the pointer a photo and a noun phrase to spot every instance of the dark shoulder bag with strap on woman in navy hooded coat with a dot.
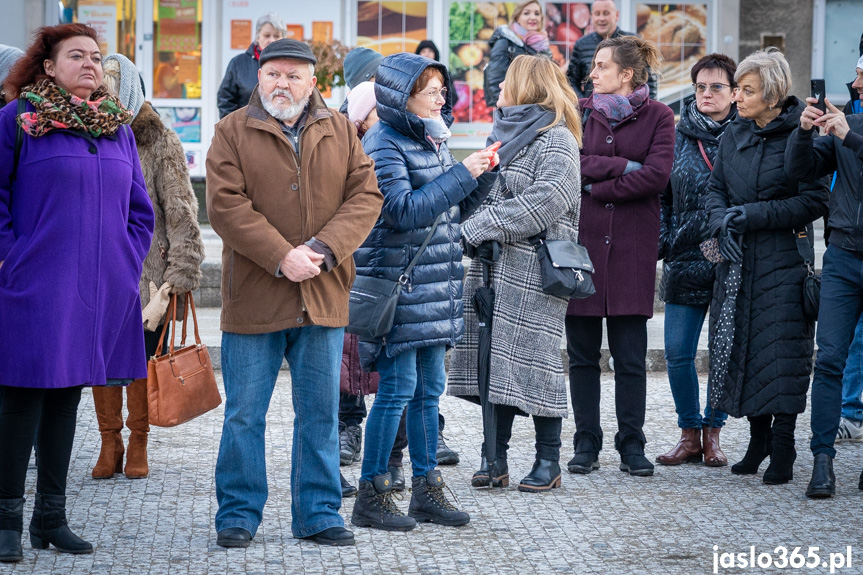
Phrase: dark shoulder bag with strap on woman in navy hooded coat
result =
(373, 301)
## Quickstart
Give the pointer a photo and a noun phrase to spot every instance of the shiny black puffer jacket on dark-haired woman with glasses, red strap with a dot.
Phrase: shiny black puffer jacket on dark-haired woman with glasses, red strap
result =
(687, 278)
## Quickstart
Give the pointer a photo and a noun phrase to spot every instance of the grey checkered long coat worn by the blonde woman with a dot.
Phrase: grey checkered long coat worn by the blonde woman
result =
(526, 367)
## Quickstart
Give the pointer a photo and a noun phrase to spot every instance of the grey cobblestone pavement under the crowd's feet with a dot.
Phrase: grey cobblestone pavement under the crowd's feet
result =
(605, 522)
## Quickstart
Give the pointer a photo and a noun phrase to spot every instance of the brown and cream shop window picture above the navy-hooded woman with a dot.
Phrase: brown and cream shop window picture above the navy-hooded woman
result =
(391, 27)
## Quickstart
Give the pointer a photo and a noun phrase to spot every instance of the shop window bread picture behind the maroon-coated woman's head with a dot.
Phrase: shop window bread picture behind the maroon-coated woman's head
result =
(680, 32)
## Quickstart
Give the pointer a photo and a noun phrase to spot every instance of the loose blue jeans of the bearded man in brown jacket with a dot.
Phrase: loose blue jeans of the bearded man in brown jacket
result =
(250, 365)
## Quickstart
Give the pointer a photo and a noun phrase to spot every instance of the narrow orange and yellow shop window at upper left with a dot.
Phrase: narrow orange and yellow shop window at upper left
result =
(177, 40)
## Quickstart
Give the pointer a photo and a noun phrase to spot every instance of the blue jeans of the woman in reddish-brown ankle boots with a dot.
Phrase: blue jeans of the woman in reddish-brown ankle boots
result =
(682, 330)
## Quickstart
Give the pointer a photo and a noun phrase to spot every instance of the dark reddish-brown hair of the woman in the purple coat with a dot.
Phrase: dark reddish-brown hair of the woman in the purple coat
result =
(30, 68)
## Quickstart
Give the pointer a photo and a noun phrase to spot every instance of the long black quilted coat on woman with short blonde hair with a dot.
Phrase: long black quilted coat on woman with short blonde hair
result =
(771, 359)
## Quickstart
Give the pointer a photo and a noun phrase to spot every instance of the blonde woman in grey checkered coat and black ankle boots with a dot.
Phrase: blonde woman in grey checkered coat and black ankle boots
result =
(538, 188)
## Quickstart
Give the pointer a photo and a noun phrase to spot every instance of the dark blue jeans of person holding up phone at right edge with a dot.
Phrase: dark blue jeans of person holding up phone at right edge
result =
(838, 315)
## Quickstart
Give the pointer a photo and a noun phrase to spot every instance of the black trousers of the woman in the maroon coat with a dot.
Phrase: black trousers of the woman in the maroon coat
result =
(627, 342)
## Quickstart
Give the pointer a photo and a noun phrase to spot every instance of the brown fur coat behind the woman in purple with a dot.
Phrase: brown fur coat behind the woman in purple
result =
(177, 250)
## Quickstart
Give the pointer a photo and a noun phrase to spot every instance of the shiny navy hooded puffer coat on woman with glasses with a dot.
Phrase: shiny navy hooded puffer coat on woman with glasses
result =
(419, 182)
